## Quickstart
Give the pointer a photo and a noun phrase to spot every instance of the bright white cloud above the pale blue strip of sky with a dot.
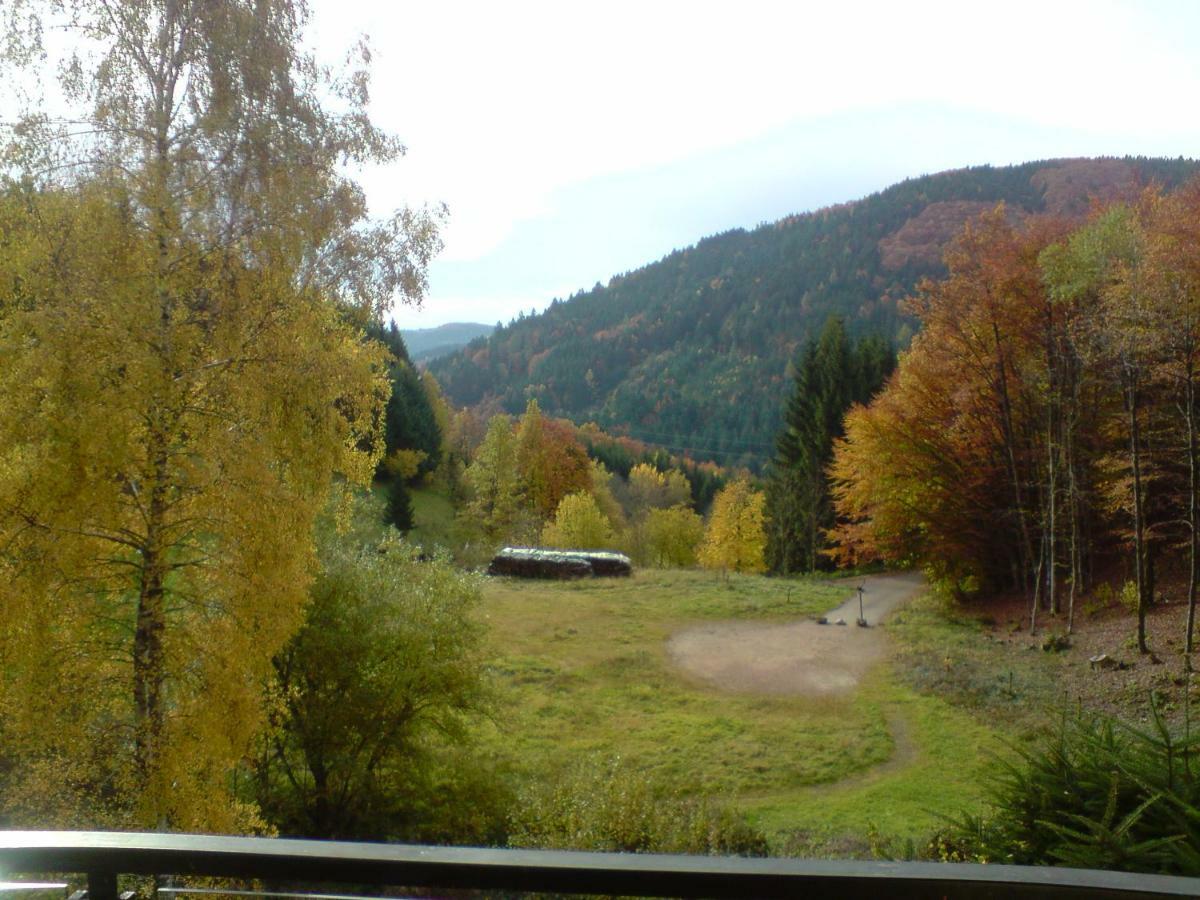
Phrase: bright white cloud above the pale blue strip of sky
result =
(505, 104)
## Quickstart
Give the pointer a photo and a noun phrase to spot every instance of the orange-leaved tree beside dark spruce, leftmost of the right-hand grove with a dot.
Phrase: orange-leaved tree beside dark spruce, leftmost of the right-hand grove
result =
(945, 469)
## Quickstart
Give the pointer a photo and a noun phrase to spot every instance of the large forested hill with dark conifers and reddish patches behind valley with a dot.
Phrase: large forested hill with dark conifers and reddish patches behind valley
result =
(692, 352)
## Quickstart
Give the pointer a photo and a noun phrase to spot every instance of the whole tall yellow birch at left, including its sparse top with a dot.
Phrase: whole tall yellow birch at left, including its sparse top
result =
(187, 271)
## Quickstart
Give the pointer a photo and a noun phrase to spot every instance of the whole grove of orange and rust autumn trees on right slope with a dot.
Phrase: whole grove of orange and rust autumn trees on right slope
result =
(1045, 419)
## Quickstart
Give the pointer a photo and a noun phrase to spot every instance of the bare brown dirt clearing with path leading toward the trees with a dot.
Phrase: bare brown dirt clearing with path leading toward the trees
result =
(795, 657)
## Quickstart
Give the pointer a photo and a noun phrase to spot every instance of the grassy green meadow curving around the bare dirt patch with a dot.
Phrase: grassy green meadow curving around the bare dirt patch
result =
(584, 674)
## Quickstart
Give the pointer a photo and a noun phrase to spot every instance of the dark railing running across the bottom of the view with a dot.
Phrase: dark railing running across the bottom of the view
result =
(104, 856)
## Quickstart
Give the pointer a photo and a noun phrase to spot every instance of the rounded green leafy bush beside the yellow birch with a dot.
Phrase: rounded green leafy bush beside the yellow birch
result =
(374, 703)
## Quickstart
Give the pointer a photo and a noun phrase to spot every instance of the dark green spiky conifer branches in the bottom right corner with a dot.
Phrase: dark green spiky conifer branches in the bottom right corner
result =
(1099, 794)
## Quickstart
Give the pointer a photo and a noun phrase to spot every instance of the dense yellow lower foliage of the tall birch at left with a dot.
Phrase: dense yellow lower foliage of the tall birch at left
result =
(166, 443)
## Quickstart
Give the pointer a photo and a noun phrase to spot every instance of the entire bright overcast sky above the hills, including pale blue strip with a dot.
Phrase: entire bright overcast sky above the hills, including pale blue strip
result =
(575, 141)
